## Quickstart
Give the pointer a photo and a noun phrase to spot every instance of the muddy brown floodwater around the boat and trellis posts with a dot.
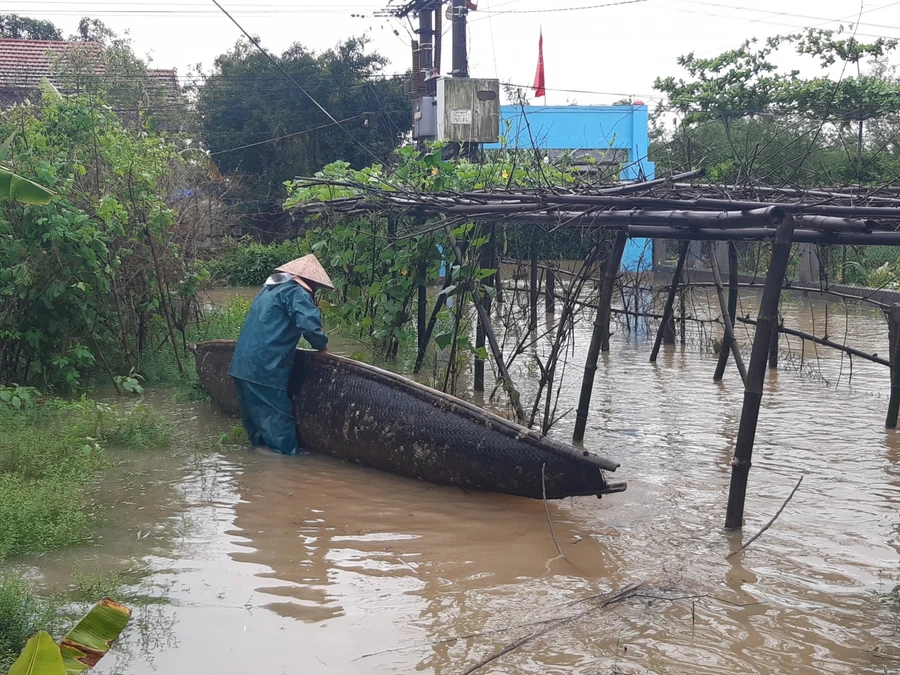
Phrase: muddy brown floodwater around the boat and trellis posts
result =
(308, 565)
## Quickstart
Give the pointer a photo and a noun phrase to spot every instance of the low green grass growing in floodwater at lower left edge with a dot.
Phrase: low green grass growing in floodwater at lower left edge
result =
(51, 456)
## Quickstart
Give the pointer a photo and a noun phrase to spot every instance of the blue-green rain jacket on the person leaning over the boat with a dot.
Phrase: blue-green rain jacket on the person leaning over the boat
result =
(279, 317)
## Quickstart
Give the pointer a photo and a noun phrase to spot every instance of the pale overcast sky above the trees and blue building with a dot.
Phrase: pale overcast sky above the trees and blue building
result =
(615, 50)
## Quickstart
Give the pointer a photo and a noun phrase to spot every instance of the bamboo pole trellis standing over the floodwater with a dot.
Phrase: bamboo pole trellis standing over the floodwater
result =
(666, 209)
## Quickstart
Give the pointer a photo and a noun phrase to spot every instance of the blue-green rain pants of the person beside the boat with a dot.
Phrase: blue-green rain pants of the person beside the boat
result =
(268, 416)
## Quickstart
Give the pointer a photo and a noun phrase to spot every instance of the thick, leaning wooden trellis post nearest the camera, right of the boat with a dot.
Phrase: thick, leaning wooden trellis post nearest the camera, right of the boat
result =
(767, 322)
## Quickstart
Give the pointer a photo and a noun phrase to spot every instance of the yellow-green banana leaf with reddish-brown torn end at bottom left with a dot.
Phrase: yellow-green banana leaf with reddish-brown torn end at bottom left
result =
(92, 638)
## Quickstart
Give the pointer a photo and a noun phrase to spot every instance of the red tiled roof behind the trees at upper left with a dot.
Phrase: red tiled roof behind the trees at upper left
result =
(24, 63)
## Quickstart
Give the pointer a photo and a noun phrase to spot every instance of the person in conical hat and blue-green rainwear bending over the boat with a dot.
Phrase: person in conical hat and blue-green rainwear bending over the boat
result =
(282, 313)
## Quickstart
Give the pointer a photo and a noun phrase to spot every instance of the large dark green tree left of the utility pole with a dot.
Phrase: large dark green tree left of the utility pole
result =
(247, 101)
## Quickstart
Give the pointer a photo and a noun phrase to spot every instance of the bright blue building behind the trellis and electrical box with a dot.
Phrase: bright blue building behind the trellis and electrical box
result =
(615, 136)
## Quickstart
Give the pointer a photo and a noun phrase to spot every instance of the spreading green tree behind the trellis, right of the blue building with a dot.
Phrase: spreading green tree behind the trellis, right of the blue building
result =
(748, 122)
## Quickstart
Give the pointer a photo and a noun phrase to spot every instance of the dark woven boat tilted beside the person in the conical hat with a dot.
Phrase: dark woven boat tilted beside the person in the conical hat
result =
(367, 415)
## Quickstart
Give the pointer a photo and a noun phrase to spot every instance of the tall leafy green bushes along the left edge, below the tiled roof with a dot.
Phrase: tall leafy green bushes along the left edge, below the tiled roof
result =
(91, 278)
